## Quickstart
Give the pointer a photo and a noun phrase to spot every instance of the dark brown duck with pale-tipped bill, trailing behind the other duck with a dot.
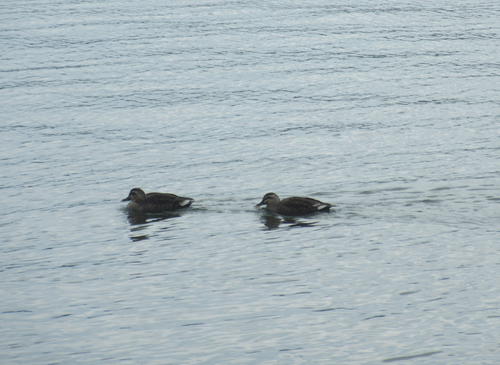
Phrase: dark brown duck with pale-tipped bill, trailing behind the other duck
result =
(294, 205)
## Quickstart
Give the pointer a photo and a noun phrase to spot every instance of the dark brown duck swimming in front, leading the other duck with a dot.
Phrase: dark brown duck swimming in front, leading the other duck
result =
(155, 202)
